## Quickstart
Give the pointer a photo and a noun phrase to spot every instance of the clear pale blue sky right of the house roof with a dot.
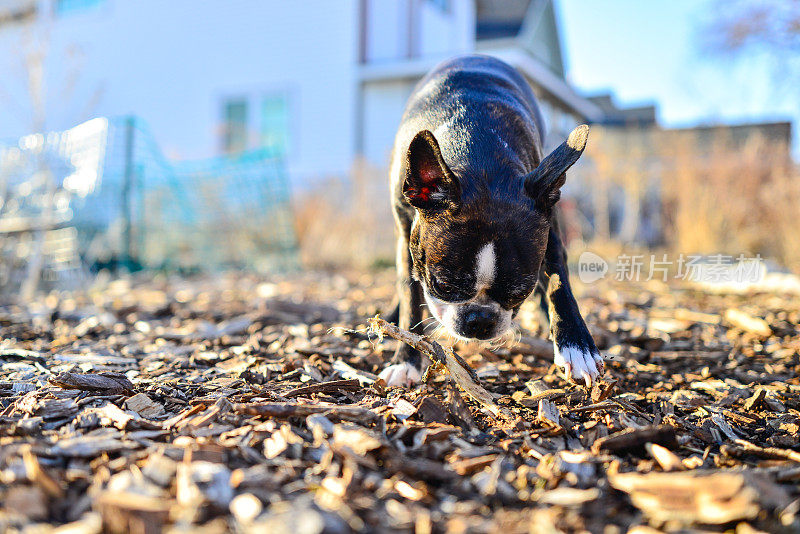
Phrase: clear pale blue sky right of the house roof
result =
(651, 51)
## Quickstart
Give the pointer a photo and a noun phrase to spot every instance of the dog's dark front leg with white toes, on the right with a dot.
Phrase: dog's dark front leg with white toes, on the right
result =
(574, 347)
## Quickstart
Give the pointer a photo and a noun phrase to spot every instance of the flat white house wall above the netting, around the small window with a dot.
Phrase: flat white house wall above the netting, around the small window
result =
(175, 63)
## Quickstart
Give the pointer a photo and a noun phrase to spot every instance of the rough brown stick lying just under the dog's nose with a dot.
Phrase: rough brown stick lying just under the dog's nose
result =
(461, 372)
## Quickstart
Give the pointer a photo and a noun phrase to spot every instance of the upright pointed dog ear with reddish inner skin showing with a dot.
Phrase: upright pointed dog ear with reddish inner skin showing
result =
(429, 183)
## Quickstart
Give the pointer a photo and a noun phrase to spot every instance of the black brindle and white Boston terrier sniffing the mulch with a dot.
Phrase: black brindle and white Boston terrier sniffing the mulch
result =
(474, 202)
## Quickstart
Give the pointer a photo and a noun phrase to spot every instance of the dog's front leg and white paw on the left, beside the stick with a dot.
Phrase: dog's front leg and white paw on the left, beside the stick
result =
(407, 363)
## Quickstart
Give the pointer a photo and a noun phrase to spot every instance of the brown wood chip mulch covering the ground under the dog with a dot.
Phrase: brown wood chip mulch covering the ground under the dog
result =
(250, 405)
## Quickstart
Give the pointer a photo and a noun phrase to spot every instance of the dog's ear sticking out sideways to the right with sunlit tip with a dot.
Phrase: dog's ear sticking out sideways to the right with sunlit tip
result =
(543, 185)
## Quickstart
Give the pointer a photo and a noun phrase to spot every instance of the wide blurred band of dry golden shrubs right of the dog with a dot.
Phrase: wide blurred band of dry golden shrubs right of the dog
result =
(717, 193)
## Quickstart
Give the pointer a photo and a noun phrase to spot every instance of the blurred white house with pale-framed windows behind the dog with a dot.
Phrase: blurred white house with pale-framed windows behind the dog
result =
(319, 81)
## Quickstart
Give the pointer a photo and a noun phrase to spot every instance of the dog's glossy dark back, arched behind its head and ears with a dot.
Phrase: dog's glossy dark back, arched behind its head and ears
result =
(483, 114)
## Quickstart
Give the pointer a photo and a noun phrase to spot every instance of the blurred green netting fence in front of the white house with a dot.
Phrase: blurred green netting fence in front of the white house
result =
(102, 195)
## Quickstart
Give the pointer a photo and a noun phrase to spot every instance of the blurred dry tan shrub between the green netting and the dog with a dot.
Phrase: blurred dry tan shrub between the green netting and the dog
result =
(346, 223)
